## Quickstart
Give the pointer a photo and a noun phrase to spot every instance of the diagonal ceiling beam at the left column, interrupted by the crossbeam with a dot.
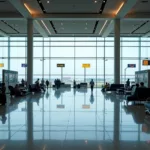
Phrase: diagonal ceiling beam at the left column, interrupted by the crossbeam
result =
(26, 13)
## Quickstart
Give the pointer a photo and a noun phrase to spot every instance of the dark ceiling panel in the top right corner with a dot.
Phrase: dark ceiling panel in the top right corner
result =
(141, 6)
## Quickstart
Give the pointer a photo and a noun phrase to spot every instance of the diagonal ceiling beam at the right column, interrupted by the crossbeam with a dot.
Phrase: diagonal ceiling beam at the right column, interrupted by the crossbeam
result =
(122, 11)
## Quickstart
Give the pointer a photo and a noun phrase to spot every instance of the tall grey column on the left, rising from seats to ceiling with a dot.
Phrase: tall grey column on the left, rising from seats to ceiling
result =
(30, 51)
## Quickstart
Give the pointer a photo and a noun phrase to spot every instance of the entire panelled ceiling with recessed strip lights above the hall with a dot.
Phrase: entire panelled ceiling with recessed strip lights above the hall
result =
(75, 17)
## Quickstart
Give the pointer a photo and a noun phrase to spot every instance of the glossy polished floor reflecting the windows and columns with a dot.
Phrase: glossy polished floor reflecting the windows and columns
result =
(73, 120)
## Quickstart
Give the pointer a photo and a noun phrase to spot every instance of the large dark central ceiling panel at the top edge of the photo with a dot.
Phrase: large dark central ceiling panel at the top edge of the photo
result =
(72, 6)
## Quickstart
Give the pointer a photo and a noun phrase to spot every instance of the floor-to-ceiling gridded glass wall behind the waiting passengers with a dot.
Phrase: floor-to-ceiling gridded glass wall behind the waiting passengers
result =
(73, 52)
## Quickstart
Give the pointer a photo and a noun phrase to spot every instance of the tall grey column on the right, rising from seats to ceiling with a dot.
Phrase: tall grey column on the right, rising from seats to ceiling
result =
(117, 52)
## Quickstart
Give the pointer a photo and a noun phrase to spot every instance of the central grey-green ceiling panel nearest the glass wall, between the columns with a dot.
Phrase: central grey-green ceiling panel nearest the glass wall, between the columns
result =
(74, 27)
